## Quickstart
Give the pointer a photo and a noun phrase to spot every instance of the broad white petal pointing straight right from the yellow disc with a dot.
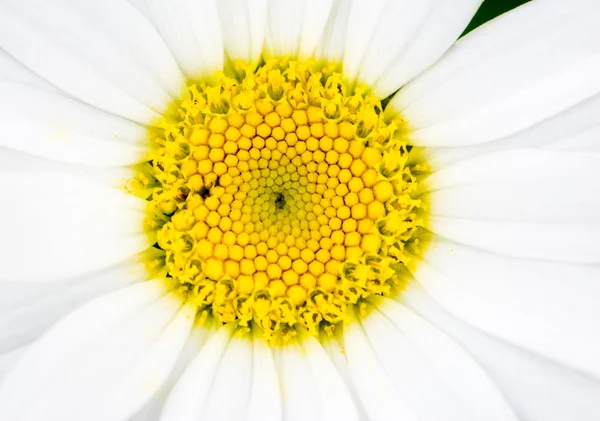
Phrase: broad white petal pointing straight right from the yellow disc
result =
(524, 203)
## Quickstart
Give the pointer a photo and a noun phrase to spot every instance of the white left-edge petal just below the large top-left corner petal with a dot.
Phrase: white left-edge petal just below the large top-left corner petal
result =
(55, 127)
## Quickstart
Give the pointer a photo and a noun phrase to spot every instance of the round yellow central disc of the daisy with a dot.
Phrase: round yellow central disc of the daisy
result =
(282, 198)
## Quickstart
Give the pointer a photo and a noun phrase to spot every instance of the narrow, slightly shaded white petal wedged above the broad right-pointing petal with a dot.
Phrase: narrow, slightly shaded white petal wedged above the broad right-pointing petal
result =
(575, 130)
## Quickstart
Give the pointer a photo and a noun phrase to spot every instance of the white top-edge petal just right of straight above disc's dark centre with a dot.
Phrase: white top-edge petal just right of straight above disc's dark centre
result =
(295, 27)
